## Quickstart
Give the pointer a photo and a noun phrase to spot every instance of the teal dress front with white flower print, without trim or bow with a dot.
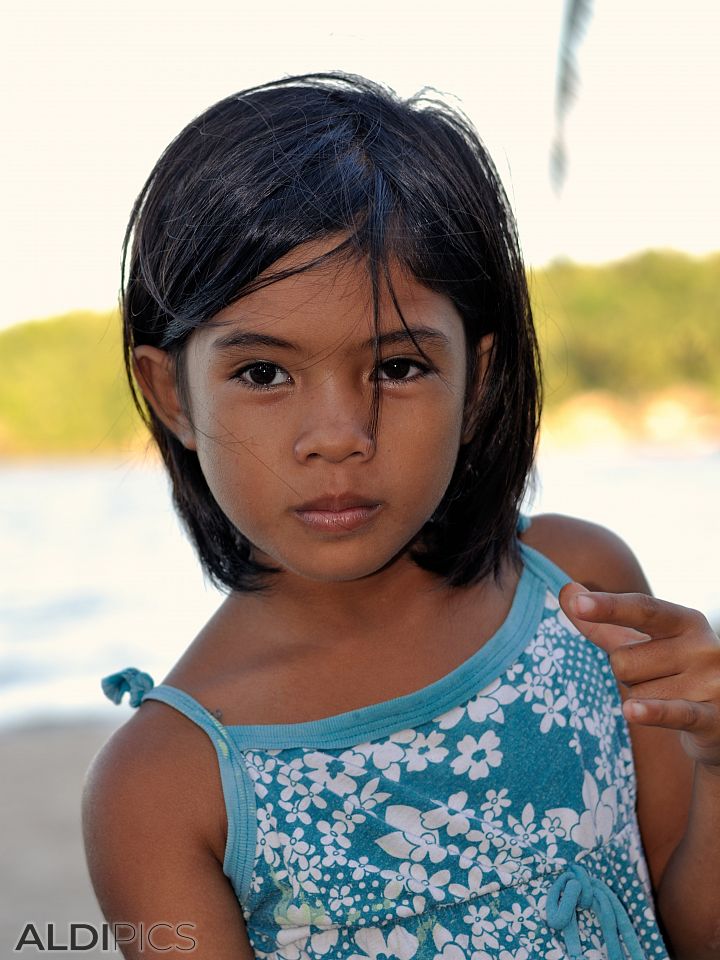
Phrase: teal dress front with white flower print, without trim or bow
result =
(440, 839)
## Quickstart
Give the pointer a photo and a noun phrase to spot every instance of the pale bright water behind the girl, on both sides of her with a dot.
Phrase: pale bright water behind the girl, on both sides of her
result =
(97, 575)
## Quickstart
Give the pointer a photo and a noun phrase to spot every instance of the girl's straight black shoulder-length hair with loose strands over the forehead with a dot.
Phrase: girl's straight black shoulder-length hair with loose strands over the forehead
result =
(309, 157)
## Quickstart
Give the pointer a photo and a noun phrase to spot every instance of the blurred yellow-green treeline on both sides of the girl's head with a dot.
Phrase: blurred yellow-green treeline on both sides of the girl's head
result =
(632, 328)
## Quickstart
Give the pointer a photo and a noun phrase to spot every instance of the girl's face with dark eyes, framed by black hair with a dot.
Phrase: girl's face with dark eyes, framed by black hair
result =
(278, 424)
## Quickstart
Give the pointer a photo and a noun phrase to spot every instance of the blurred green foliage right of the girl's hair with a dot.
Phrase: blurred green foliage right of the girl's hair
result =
(633, 327)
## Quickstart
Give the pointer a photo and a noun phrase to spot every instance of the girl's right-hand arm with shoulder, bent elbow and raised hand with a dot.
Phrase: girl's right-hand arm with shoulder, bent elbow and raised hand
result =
(676, 745)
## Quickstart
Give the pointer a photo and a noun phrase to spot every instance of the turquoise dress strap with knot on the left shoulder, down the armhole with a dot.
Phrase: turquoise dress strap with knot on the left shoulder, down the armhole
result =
(238, 790)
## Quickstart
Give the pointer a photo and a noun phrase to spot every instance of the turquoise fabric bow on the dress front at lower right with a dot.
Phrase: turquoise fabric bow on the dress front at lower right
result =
(576, 890)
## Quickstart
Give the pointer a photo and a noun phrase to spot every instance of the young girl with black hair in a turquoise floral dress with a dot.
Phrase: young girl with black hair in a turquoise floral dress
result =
(401, 735)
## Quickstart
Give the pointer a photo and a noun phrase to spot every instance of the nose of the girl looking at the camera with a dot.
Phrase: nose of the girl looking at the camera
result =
(334, 424)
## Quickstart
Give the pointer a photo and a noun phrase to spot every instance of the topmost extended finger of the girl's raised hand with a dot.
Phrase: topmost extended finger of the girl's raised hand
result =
(656, 618)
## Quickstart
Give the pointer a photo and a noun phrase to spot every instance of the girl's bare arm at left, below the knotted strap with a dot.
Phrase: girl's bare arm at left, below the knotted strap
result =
(154, 827)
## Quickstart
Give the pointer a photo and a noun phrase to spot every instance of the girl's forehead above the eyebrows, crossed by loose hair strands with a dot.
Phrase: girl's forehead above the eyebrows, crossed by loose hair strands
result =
(333, 302)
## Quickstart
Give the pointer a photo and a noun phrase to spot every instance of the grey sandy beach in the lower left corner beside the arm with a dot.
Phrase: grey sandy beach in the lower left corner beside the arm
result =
(43, 877)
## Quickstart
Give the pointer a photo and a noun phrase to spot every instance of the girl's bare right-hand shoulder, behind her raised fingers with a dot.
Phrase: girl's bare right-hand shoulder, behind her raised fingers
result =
(588, 552)
